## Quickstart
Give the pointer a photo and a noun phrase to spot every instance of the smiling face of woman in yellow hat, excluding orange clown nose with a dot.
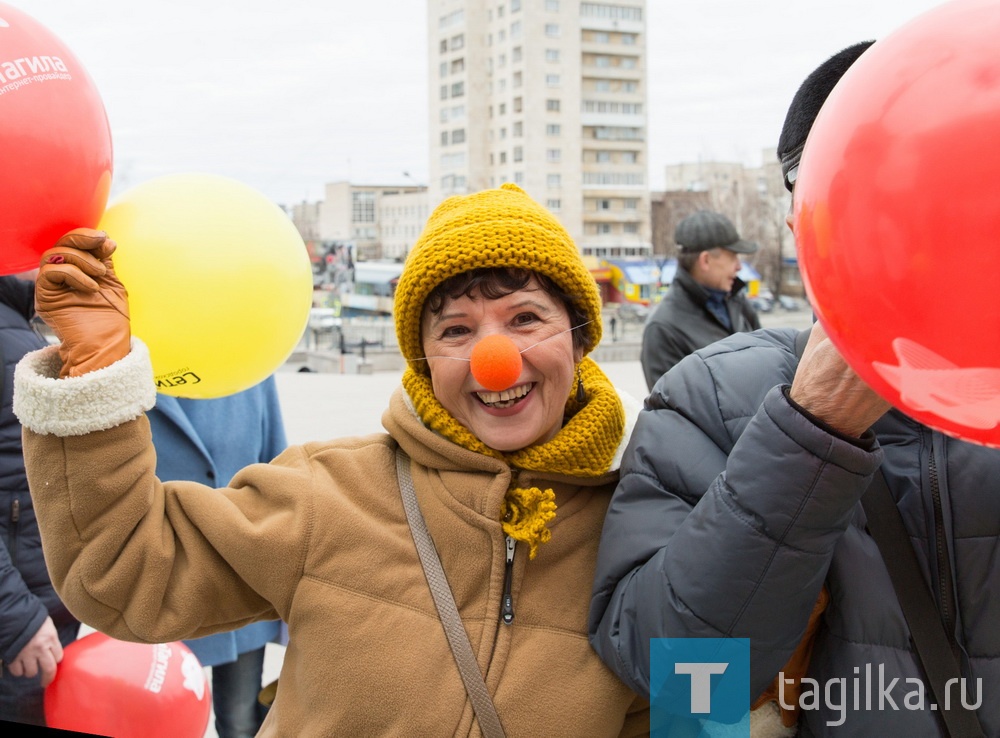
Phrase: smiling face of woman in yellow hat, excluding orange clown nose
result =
(531, 409)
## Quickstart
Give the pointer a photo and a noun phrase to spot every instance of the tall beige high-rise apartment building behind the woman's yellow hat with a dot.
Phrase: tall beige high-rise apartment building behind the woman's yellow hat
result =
(550, 95)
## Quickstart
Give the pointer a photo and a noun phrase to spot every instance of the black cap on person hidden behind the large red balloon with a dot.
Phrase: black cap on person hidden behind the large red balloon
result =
(806, 104)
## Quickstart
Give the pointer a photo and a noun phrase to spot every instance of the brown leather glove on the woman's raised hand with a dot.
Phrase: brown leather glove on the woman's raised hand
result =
(79, 296)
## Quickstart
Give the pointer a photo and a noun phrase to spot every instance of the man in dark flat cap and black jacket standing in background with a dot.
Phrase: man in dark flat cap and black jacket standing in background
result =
(706, 301)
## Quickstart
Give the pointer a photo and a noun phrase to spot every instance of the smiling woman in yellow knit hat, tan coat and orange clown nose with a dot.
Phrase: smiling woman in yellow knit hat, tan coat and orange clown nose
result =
(502, 446)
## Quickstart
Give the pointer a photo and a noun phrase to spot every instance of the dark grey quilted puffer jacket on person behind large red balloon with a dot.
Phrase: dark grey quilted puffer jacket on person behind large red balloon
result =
(734, 508)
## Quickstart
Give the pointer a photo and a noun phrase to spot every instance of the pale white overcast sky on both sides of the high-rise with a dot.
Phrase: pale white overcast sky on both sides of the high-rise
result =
(287, 96)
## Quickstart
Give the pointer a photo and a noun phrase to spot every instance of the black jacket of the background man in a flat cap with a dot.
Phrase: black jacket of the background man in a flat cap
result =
(682, 324)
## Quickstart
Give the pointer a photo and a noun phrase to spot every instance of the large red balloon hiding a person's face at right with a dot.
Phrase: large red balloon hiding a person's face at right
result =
(898, 218)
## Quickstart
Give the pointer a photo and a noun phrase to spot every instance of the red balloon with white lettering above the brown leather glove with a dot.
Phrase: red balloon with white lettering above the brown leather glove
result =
(55, 139)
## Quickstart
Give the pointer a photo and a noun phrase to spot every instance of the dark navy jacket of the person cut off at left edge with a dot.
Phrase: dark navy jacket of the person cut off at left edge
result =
(26, 594)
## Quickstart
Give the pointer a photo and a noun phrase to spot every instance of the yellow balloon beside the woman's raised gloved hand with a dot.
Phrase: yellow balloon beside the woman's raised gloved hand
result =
(219, 281)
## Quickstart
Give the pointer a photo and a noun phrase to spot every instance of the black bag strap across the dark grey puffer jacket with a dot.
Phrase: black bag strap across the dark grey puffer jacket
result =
(885, 524)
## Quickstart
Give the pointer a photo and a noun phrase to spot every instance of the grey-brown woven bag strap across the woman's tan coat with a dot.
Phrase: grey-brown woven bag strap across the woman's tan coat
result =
(458, 639)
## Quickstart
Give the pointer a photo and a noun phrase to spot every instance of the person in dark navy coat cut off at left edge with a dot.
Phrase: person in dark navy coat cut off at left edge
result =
(34, 623)
